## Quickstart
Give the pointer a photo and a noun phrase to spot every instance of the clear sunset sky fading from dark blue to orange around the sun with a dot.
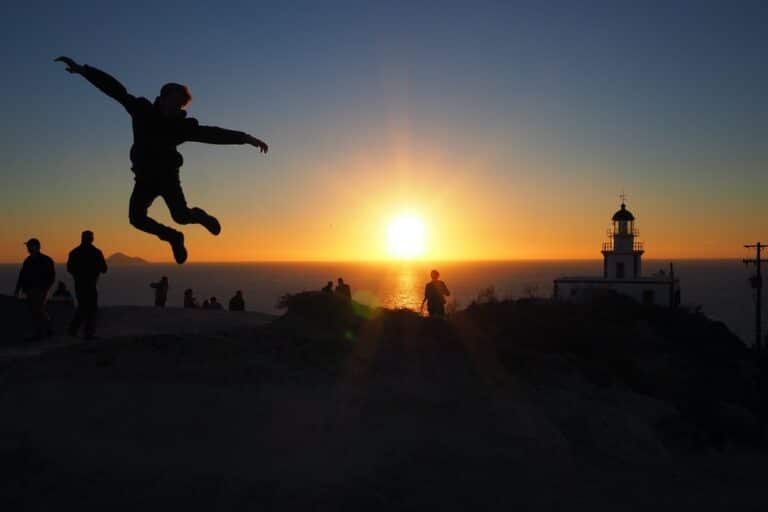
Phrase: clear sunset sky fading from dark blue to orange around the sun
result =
(510, 128)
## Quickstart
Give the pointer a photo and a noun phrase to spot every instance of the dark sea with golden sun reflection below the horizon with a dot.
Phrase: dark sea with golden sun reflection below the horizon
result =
(720, 288)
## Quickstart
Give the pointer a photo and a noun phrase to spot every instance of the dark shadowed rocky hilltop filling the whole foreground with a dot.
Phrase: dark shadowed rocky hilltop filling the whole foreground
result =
(337, 407)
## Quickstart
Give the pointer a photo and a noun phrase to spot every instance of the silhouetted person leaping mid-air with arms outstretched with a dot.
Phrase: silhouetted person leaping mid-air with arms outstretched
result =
(157, 129)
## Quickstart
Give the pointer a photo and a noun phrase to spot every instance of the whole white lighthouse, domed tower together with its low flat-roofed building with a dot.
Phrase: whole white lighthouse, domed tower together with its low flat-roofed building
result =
(622, 270)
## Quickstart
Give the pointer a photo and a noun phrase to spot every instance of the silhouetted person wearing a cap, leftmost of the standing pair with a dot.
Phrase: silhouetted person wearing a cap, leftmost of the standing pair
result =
(36, 278)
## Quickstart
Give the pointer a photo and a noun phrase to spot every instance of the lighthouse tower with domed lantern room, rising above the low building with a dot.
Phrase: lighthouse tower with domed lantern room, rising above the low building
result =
(622, 254)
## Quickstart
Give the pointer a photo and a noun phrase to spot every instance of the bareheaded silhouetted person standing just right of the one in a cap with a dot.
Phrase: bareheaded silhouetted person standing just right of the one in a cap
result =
(85, 263)
